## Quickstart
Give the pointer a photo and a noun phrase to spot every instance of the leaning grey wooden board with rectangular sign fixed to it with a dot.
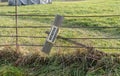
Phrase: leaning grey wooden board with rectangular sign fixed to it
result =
(53, 34)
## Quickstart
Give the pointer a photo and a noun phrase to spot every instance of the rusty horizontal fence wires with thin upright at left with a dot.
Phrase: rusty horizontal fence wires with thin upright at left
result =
(16, 15)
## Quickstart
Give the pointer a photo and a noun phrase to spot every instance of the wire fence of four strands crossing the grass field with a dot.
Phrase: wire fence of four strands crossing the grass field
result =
(17, 36)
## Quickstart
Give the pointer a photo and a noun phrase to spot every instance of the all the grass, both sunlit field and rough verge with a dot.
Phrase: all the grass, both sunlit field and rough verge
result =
(74, 64)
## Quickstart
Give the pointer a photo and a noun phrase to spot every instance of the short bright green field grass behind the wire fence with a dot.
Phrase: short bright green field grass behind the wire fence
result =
(81, 8)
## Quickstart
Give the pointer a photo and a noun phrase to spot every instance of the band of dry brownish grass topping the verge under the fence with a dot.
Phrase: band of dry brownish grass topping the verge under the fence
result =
(90, 60)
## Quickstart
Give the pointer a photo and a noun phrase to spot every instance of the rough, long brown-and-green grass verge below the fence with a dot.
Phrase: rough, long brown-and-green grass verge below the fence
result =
(89, 63)
